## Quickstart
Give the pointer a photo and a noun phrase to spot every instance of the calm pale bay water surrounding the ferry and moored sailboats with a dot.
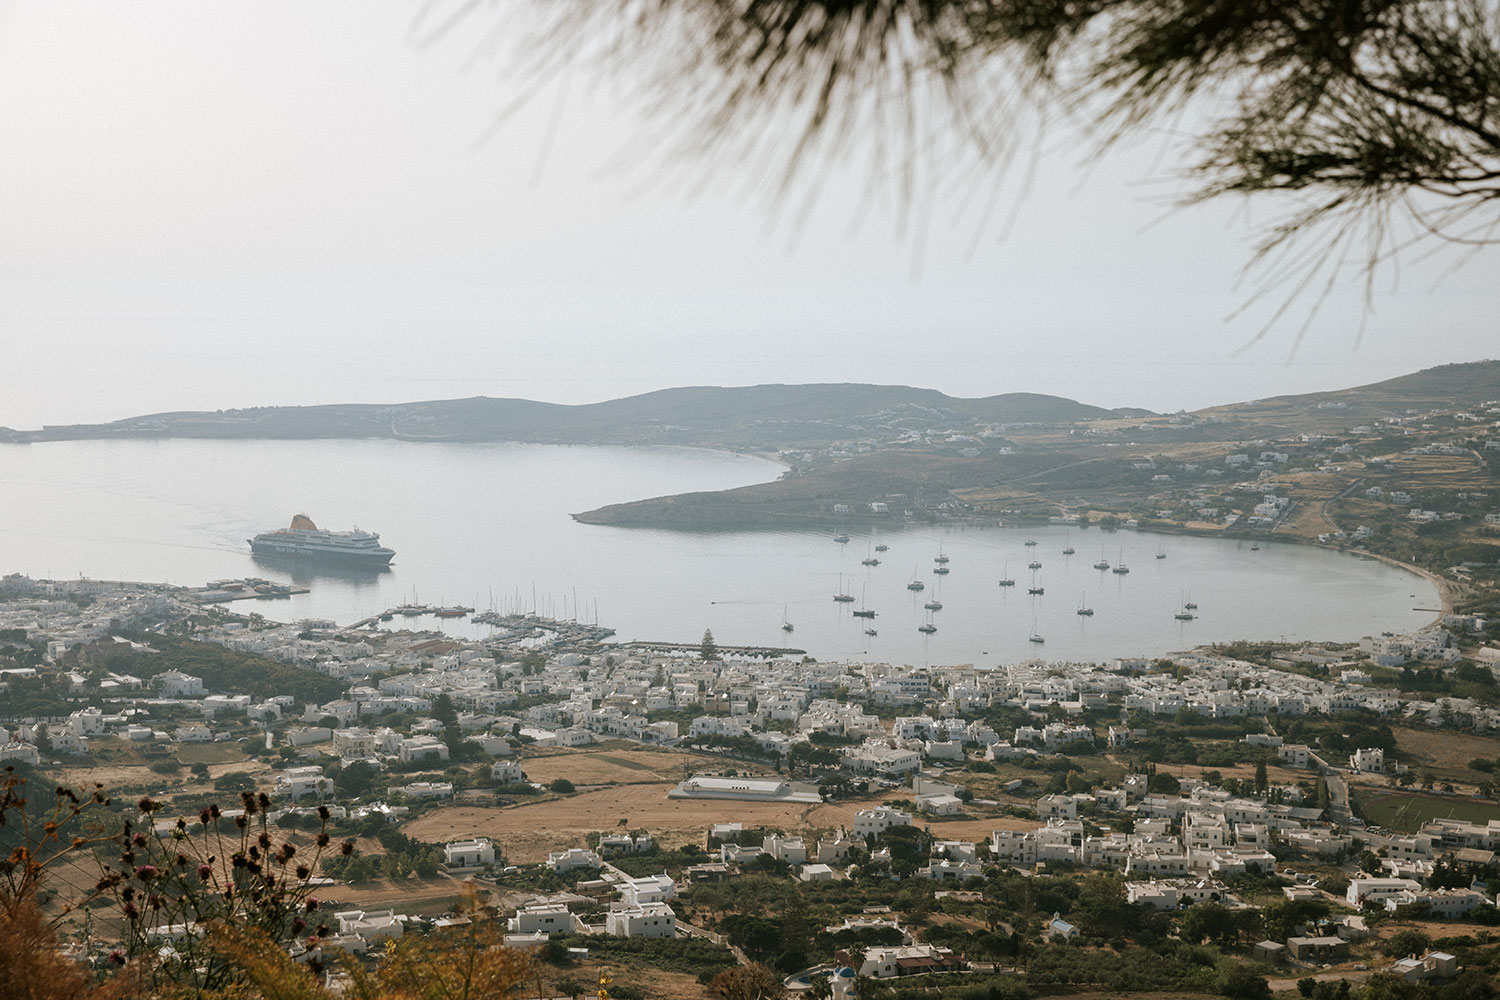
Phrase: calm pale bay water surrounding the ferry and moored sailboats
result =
(488, 525)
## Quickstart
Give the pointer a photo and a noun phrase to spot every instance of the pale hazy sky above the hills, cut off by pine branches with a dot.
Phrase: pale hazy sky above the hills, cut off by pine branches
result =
(227, 205)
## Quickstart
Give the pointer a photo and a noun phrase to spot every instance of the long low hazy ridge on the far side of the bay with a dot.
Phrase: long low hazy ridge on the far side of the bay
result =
(754, 416)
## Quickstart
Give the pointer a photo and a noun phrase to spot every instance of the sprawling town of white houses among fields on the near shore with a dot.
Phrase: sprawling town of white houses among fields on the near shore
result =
(935, 779)
